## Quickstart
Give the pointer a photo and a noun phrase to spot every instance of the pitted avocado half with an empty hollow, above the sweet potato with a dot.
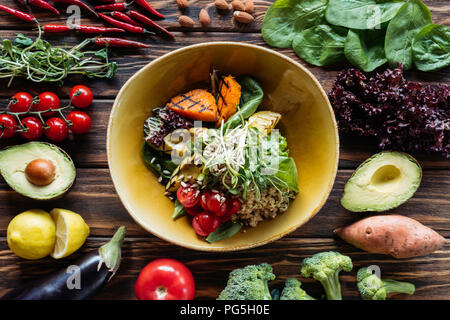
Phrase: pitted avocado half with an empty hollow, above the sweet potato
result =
(382, 182)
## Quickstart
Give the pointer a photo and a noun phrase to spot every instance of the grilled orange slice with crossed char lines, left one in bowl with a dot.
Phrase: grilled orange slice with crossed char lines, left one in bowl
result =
(197, 104)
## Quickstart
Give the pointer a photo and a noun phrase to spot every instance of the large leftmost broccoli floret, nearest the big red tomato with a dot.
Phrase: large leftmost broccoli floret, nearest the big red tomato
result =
(249, 283)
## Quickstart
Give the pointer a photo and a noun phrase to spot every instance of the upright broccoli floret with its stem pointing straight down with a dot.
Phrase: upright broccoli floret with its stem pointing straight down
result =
(325, 268)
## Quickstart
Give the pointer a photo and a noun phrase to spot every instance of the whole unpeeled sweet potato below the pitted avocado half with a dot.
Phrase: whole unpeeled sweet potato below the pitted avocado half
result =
(396, 235)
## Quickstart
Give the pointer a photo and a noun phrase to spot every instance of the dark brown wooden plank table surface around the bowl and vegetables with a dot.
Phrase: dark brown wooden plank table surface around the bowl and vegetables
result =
(94, 197)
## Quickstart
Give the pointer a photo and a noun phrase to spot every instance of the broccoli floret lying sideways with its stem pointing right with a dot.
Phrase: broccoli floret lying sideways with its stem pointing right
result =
(373, 288)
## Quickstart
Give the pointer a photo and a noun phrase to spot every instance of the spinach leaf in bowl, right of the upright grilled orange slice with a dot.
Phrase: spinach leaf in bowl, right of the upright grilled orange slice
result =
(251, 97)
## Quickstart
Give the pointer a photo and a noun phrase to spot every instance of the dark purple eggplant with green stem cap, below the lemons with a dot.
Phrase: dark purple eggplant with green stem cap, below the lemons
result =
(96, 269)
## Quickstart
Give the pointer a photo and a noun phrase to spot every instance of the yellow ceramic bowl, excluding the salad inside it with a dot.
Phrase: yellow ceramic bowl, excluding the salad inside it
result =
(308, 123)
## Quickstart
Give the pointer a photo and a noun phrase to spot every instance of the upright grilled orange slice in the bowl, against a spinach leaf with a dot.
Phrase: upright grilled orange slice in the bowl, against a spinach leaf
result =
(229, 95)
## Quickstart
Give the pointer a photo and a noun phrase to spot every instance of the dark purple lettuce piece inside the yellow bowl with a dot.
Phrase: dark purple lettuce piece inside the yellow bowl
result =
(162, 122)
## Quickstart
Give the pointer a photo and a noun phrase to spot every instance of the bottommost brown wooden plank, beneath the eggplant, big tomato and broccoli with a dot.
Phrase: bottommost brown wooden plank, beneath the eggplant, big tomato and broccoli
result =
(430, 274)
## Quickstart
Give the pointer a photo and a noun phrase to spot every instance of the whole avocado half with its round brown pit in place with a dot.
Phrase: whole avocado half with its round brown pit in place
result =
(37, 170)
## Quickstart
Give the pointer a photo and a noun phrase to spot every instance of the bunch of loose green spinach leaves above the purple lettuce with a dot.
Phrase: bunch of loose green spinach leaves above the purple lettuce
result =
(367, 33)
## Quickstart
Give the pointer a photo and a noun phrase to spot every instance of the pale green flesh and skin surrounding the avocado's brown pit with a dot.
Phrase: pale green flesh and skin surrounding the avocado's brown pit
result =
(14, 159)
